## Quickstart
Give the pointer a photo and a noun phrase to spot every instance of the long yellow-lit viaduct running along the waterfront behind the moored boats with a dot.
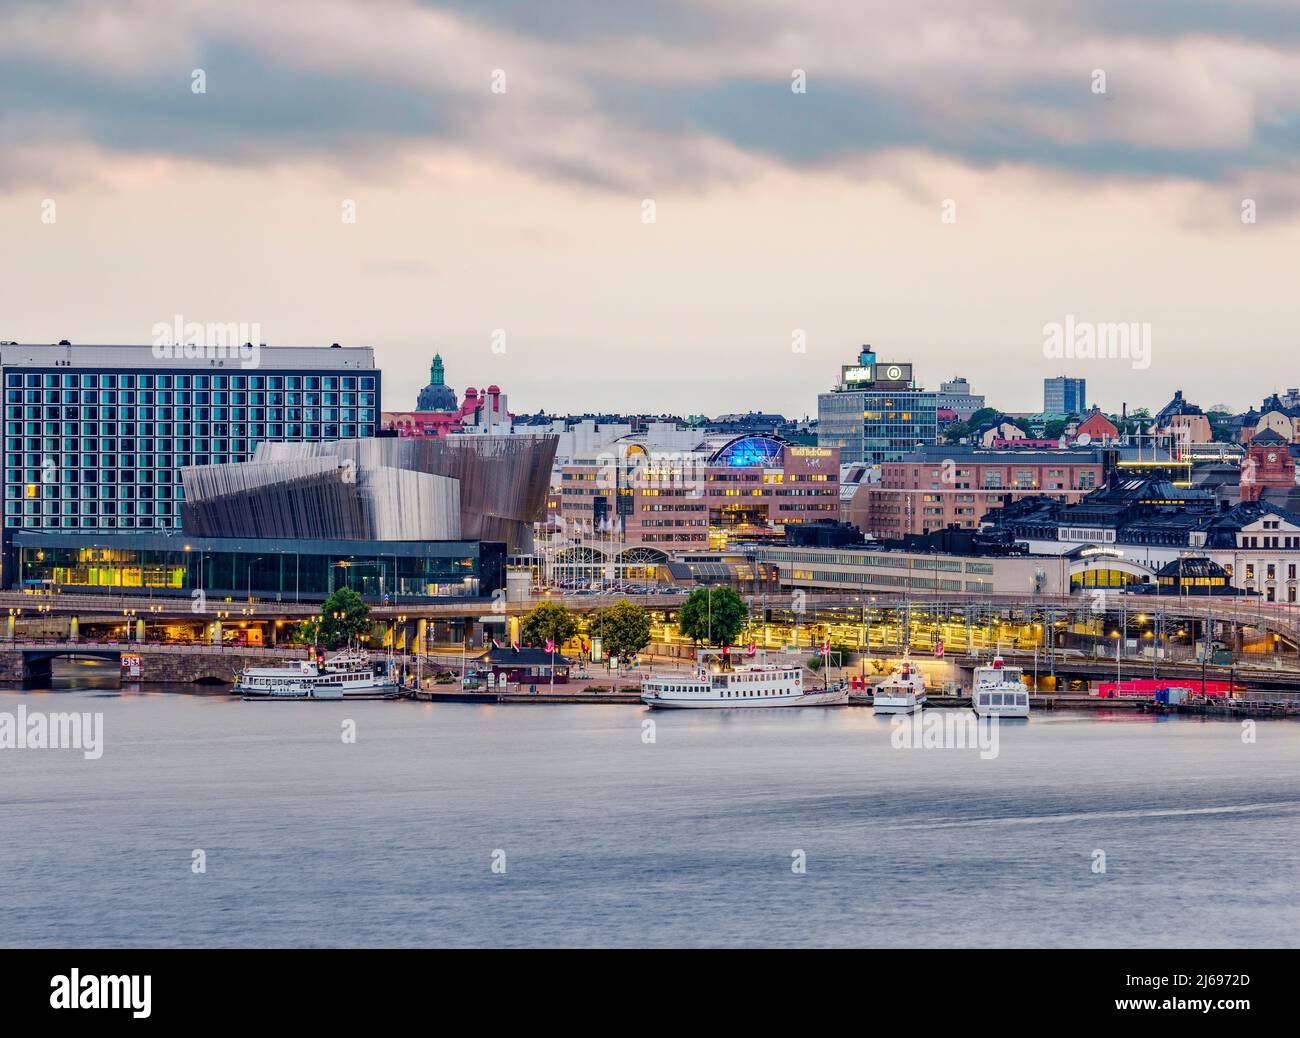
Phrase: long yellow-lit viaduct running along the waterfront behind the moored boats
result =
(1065, 630)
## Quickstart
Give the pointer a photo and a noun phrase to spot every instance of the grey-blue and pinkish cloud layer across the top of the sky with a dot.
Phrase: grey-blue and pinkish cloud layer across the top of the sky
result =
(626, 98)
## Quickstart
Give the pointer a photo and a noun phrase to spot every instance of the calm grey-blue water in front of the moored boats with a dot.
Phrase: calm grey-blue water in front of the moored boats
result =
(608, 841)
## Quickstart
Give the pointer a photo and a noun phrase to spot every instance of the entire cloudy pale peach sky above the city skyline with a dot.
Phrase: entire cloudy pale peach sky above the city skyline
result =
(669, 207)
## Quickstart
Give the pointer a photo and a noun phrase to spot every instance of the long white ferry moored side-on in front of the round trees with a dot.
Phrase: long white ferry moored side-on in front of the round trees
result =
(747, 685)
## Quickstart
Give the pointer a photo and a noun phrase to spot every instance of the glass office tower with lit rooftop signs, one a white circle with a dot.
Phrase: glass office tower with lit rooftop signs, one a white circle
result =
(877, 414)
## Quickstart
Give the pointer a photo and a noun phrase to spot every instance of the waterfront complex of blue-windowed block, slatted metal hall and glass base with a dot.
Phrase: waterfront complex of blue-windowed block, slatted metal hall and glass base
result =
(141, 477)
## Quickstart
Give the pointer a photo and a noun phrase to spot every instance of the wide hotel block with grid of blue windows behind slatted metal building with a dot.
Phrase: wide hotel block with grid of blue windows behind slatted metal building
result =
(97, 436)
